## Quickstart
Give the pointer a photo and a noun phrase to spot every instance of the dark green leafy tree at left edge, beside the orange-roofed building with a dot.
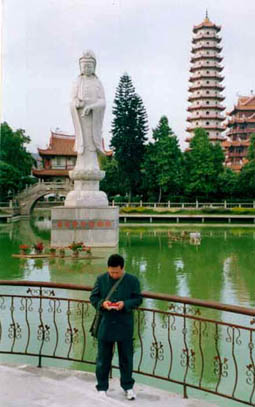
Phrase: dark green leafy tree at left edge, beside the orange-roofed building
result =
(16, 161)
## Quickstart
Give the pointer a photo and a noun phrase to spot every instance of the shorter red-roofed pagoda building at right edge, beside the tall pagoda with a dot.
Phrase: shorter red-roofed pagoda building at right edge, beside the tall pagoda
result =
(240, 125)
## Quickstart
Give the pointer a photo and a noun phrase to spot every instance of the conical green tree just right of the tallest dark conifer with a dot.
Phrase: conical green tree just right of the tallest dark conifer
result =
(163, 161)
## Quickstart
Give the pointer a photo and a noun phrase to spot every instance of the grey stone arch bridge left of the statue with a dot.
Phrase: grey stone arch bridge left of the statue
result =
(29, 196)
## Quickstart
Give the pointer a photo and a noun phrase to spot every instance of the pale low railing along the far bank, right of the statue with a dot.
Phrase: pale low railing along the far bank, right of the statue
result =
(185, 205)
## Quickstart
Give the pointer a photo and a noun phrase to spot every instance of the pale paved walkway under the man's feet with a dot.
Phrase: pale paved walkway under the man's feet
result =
(23, 386)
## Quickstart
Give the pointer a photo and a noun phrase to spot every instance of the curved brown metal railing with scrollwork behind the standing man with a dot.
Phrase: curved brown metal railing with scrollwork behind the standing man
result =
(197, 344)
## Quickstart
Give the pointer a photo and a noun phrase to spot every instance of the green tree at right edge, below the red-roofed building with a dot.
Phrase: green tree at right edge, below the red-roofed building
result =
(247, 174)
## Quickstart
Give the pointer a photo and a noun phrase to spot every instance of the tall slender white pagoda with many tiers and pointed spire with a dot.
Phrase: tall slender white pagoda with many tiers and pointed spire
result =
(206, 88)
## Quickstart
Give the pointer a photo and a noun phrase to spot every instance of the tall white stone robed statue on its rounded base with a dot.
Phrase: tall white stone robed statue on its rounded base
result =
(87, 109)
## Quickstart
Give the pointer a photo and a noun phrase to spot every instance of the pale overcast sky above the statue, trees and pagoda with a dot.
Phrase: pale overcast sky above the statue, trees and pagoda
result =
(149, 39)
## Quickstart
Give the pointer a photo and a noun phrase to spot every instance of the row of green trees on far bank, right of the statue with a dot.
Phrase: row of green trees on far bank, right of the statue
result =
(159, 170)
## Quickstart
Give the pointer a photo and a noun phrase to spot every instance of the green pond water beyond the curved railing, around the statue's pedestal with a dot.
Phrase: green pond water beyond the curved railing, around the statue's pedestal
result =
(219, 267)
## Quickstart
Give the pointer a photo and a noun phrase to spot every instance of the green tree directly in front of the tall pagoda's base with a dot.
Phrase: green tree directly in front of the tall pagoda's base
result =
(203, 165)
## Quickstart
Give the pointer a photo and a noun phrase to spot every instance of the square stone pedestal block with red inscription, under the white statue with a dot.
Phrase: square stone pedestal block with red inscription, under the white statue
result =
(95, 227)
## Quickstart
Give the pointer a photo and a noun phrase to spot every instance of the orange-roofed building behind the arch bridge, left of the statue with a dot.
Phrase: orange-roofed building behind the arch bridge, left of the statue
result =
(58, 159)
